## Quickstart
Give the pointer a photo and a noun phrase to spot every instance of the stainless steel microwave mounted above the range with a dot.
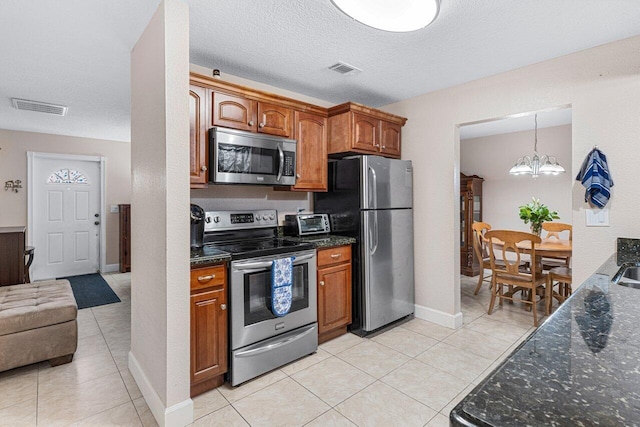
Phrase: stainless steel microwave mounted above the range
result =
(239, 157)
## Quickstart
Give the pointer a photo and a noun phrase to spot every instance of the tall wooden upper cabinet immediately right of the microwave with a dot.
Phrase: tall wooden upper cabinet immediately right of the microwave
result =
(311, 152)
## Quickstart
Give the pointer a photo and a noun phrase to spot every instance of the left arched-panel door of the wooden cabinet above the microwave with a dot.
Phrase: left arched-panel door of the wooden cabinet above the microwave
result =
(233, 111)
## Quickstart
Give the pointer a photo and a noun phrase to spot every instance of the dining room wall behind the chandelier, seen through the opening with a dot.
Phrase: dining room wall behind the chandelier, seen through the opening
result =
(491, 157)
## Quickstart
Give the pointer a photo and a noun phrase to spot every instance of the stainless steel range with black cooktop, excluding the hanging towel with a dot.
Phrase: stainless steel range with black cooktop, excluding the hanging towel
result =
(260, 341)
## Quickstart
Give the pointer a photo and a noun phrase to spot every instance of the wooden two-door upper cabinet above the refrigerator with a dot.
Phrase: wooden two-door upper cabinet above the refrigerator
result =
(355, 128)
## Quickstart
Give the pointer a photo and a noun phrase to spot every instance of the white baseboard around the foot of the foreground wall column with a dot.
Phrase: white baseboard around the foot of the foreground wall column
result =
(180, 414)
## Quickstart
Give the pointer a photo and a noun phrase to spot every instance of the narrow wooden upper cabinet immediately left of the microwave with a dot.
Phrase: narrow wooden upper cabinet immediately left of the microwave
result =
(198, 137)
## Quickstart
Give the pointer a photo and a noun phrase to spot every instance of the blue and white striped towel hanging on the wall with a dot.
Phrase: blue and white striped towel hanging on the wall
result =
(595, 177)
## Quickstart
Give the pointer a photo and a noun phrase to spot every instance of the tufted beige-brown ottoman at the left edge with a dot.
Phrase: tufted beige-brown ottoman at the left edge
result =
(37, 322)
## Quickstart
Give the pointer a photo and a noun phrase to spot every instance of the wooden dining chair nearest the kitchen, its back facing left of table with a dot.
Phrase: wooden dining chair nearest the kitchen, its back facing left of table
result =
(531, 283)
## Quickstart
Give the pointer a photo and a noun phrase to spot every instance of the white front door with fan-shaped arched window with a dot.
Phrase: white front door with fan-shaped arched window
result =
(65, 210)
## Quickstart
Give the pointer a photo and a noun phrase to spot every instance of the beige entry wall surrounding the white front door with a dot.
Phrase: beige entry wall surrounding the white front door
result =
(13, 165)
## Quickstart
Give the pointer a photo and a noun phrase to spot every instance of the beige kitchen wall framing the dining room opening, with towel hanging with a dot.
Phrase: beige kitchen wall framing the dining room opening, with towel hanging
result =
(603, 87)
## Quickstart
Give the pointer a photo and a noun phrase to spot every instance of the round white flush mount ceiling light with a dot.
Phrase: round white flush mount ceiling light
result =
(391, 15)
